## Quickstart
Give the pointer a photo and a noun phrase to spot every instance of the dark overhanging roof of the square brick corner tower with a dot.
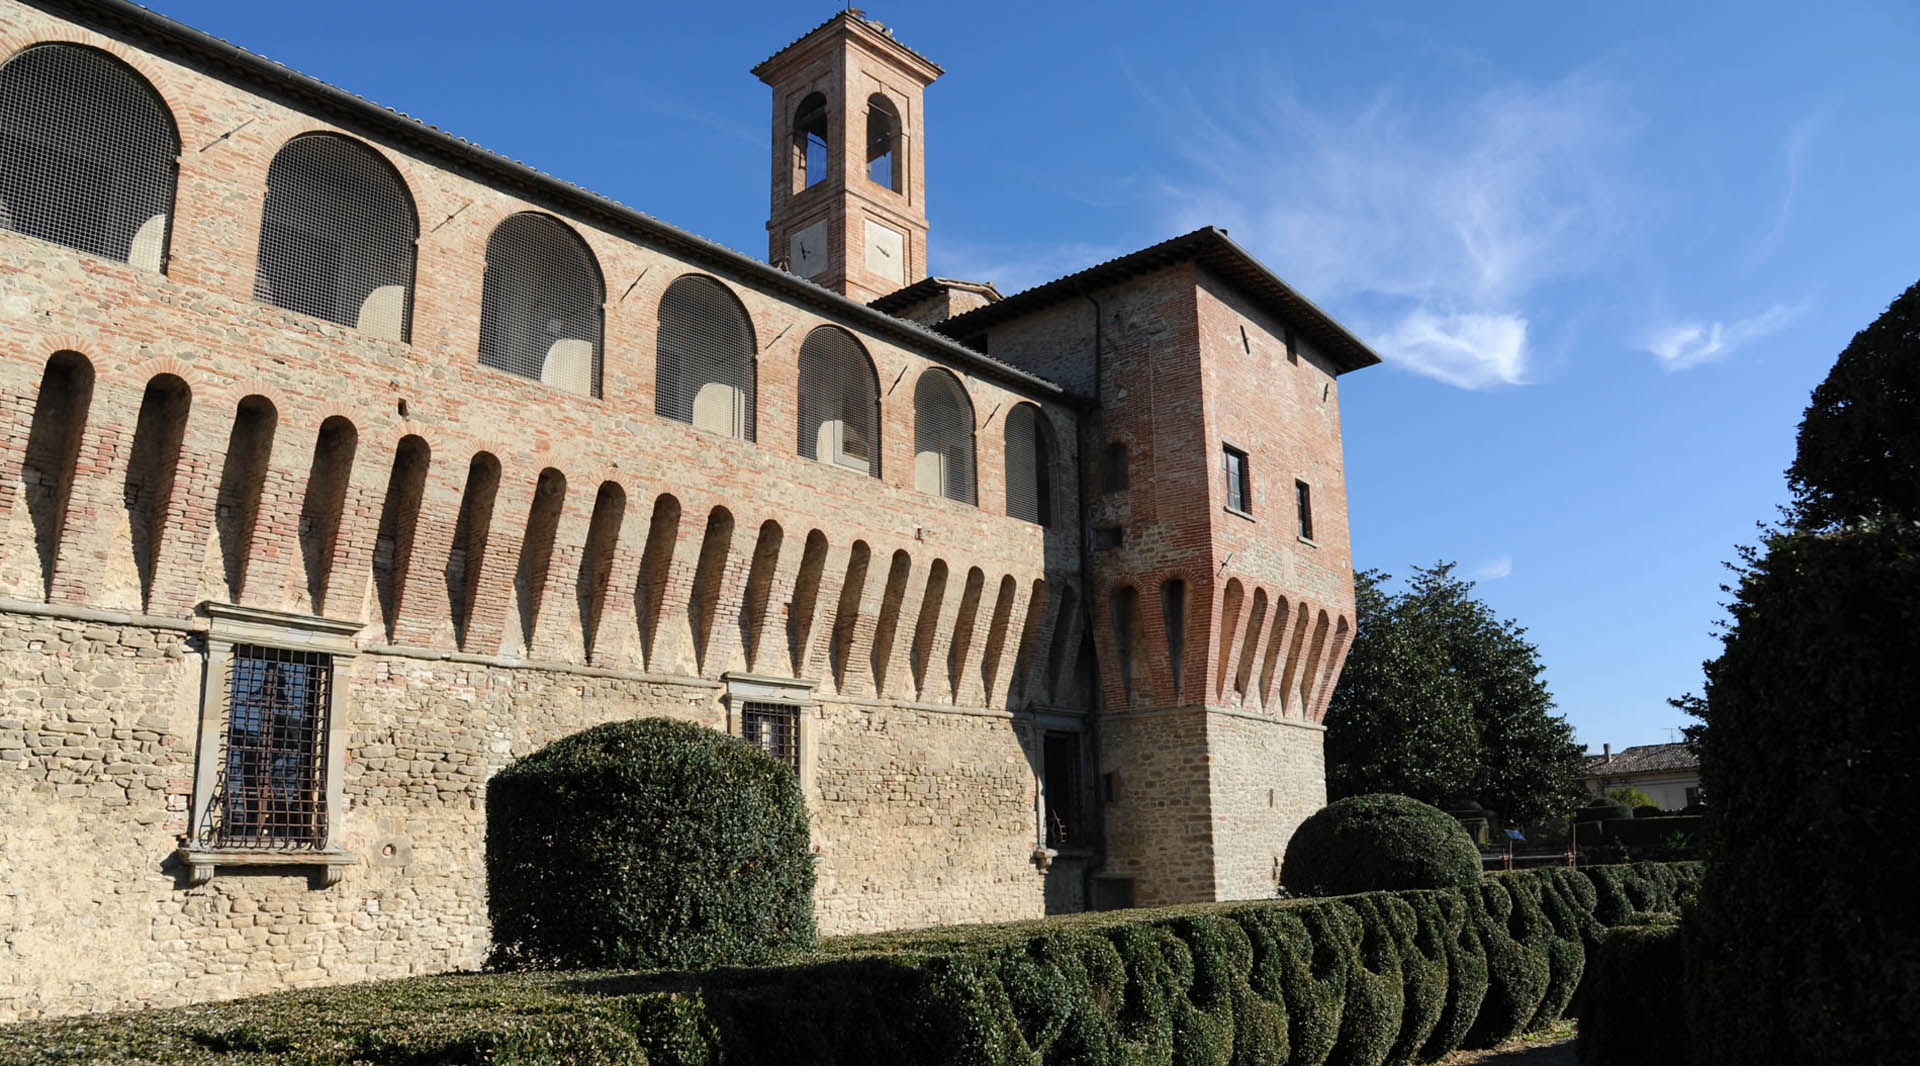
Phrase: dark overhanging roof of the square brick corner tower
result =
(1214, 251)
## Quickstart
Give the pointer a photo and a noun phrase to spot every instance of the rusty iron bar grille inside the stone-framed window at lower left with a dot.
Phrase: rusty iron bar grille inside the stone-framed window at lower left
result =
(272, 788)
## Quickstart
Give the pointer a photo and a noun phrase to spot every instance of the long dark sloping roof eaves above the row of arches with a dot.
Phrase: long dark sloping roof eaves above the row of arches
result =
(404, 128)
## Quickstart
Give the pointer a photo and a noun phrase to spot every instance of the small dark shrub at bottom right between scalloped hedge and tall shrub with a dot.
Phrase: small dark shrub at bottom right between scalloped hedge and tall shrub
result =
(1635, 1005)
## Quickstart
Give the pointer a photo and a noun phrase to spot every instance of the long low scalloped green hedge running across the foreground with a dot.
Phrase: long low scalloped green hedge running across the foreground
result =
(1349, 982)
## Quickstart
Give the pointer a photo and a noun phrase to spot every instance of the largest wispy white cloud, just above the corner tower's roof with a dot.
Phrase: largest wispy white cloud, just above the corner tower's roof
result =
(1433, 224)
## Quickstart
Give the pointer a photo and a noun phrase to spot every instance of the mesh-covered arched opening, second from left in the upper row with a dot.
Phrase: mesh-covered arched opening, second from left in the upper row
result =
(337, 237)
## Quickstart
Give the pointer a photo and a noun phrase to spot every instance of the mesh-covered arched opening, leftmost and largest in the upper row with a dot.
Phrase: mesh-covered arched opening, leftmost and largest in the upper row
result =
(87, 155)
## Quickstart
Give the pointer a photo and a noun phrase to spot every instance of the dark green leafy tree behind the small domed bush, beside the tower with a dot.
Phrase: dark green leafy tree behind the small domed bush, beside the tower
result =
(1441, 700)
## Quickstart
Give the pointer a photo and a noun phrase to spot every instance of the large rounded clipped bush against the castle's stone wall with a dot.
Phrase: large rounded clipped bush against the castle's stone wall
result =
(648, 844)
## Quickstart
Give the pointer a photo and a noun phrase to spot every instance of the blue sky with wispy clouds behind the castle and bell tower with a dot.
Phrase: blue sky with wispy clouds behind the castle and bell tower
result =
(1606, 253)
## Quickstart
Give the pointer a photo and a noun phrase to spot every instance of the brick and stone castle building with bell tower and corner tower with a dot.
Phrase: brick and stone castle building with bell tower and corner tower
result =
(343, 462)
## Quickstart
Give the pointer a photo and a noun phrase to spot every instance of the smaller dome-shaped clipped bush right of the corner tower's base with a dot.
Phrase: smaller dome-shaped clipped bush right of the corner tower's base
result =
(1380, 842)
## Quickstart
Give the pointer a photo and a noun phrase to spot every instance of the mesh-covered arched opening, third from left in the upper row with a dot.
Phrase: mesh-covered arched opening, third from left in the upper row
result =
(540, 306)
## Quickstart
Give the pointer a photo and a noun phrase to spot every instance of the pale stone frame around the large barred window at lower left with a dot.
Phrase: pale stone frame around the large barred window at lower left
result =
(228, 627)
